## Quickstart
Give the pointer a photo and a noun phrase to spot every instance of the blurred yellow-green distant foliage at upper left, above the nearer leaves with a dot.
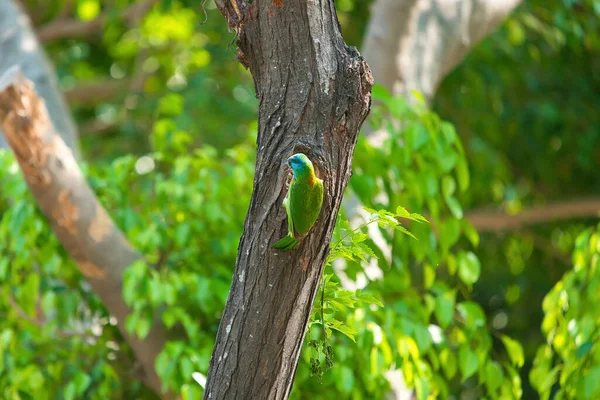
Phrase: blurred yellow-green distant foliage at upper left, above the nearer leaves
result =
(181, 50)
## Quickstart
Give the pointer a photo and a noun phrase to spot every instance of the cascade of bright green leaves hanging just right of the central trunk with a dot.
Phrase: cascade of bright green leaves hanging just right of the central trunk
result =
(429, 327)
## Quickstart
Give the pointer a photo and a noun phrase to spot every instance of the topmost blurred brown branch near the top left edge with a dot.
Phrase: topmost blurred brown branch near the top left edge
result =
(75, 29)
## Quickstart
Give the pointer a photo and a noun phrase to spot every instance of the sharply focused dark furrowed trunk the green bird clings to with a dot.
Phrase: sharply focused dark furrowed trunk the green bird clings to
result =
(314, 95)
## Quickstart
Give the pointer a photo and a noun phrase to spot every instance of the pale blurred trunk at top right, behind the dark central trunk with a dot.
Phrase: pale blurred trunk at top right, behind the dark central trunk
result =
(414, 44)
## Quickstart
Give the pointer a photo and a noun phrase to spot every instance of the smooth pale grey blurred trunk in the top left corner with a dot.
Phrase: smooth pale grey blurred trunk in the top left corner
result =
(19, 46)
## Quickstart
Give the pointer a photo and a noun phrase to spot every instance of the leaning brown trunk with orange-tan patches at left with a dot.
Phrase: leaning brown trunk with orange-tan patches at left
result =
(81, 223)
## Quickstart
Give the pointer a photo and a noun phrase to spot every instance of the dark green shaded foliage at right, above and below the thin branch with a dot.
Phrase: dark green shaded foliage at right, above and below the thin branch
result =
(524, 102)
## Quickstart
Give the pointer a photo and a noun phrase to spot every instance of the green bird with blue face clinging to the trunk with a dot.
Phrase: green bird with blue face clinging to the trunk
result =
(302, 203)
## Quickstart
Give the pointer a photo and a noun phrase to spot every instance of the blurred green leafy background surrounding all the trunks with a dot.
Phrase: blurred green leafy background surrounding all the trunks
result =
(503, 313)
